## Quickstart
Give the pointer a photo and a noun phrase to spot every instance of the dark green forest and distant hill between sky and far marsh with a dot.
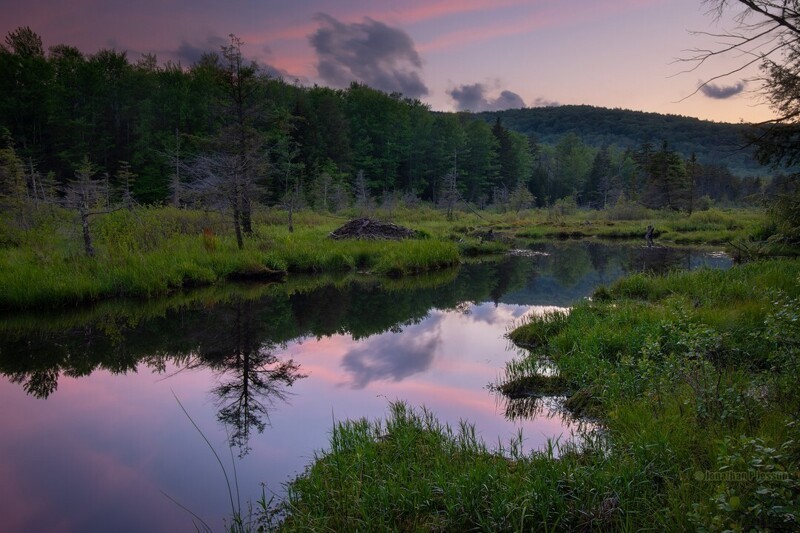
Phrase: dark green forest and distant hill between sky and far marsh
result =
(168, 133)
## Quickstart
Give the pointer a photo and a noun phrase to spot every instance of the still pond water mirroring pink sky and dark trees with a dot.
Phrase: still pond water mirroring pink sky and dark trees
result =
(95, 437)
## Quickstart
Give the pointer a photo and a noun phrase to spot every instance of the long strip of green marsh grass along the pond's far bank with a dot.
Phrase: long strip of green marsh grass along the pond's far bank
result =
(153, 251)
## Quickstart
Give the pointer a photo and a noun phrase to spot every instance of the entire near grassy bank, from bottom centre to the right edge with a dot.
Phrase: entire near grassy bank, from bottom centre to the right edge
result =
(694, 377)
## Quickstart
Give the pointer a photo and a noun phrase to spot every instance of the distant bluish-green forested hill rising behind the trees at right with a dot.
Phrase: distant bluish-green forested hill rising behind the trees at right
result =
(712, 142)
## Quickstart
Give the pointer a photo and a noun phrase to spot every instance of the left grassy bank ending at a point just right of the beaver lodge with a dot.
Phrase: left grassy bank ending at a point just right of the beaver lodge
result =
(154, 251)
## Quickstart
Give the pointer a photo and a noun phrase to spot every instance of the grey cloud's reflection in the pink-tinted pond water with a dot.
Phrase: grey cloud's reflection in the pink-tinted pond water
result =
(392, 357)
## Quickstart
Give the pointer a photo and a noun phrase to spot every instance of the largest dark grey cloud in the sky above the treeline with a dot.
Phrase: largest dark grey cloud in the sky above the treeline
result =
(370, 52)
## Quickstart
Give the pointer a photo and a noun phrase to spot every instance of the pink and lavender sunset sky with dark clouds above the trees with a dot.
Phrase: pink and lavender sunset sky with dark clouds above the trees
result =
(451, 54)
